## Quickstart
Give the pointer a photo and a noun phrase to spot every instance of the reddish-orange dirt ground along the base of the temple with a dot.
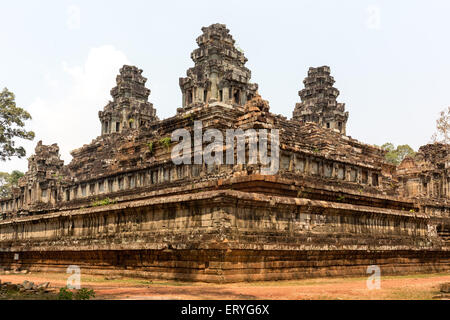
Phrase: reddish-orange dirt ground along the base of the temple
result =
(400, 287)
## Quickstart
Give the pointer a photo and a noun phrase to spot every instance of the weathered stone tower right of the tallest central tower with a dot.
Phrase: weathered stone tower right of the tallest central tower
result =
(319, 103)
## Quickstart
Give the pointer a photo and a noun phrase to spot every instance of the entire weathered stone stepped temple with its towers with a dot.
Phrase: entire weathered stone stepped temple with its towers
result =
(333, 207)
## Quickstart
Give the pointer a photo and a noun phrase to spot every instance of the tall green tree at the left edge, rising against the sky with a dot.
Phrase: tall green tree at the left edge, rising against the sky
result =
(12, 126)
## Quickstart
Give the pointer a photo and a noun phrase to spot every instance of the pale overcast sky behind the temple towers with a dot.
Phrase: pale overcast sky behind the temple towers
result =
(390, 59)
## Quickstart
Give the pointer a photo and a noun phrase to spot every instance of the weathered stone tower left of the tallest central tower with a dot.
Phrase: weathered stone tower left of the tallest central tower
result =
(130, 108)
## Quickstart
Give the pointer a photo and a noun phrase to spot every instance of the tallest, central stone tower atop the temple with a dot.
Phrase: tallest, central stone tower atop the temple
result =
(219, 74)
